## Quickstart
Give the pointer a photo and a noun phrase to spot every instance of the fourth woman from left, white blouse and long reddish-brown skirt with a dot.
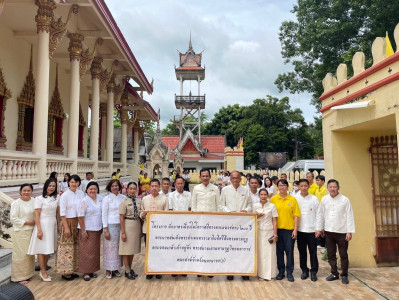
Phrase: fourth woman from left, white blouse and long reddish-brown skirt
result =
(90, 229)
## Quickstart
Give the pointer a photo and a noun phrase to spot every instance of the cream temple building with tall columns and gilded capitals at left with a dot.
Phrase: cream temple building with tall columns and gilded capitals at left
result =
(64, 67)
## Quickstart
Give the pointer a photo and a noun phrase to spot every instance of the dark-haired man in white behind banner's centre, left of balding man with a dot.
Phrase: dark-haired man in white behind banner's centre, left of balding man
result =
(205, 196)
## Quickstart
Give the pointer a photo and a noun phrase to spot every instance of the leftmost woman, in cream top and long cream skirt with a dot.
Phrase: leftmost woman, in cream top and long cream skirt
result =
(23, 220)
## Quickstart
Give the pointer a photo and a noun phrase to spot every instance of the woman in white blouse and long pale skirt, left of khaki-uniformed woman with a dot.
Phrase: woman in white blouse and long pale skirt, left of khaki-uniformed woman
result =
(112, 228)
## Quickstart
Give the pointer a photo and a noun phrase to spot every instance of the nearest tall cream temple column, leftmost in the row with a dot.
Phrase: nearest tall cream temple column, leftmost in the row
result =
(40, 121)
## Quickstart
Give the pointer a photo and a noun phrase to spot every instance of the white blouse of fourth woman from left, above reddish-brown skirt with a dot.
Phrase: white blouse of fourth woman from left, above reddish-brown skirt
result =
(91, 212)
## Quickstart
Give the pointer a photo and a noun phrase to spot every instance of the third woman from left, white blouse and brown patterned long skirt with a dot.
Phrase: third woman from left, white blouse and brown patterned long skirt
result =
(67, 251)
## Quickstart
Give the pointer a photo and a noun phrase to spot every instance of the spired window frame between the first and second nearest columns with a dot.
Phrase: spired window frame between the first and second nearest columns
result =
(55, 121)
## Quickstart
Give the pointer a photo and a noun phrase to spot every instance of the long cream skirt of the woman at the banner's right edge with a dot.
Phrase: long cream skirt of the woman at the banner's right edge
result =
(267, 259)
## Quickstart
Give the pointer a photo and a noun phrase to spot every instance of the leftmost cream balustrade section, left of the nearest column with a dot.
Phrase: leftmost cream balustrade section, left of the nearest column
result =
(17, 168)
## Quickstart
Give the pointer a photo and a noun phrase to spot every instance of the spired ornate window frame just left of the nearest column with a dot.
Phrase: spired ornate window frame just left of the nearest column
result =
(26, 103)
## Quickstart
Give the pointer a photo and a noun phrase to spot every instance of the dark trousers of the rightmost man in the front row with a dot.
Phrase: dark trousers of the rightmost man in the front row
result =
(334, 239)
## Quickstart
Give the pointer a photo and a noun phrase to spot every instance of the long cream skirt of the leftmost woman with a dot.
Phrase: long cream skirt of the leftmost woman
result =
(23, 264)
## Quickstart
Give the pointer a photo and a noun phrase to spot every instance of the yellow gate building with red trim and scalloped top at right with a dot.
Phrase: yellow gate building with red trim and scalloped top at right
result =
(360, 133)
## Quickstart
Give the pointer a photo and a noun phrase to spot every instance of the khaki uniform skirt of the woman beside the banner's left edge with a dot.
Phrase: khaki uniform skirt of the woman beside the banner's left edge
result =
(133, 238)
